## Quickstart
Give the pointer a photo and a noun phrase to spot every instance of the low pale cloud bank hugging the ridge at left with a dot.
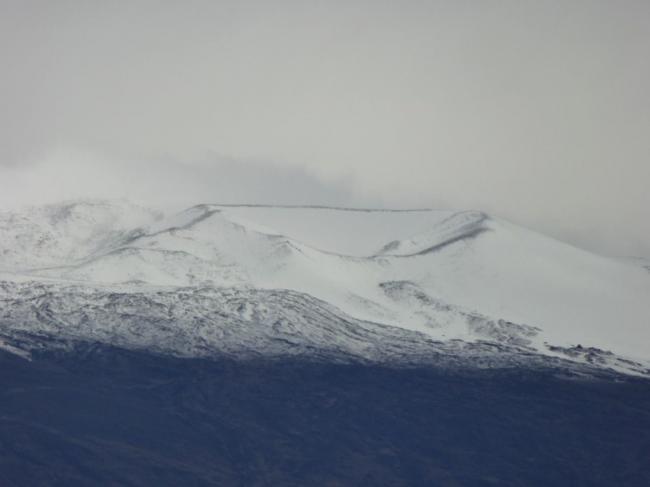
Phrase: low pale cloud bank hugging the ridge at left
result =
(167, 183)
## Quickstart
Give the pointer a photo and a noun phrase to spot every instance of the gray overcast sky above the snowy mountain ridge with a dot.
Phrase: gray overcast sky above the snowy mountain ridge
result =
(538, 112)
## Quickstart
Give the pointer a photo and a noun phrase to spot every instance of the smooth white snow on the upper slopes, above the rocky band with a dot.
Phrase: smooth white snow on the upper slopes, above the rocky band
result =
(446, 275)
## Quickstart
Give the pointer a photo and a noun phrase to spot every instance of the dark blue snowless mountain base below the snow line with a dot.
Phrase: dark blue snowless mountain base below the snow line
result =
(102, 416)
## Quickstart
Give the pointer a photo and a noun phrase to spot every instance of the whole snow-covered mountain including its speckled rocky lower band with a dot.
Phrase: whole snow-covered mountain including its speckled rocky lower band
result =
(454, 288)
